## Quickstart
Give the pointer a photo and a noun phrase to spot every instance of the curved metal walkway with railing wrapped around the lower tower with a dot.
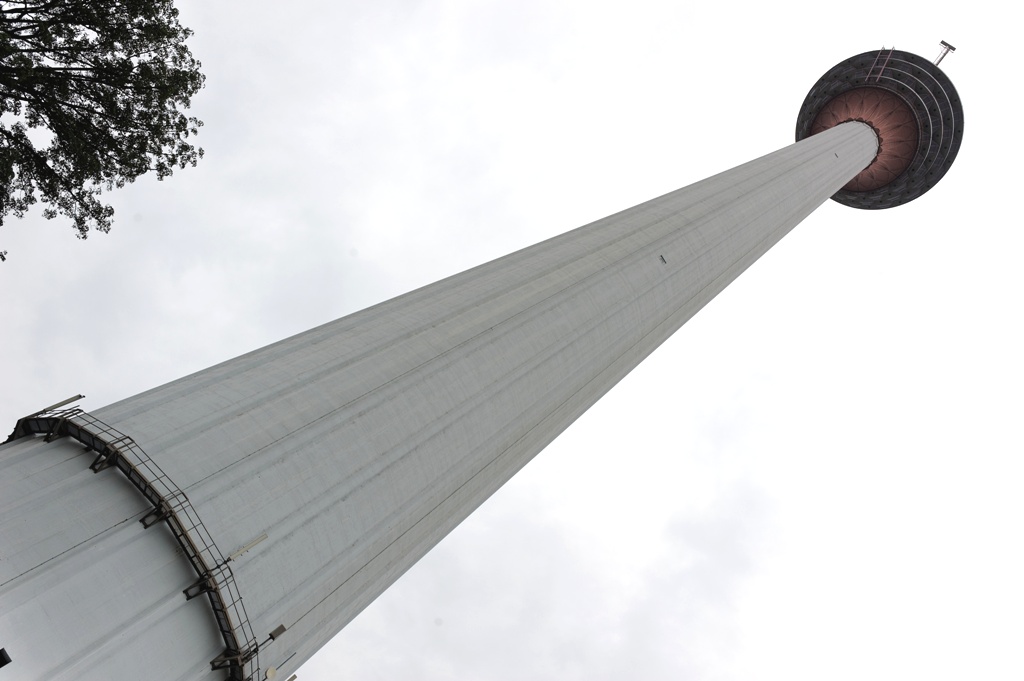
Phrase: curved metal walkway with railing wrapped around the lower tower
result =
(114, 449)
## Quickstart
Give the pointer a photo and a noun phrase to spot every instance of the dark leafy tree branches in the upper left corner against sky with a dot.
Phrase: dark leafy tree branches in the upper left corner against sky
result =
(92, 97)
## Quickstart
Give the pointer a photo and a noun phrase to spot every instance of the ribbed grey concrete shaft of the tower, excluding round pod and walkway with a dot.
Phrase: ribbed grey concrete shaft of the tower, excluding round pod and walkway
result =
(343, 455)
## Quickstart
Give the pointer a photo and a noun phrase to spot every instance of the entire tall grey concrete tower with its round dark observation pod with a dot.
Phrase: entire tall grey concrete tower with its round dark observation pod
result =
(228, 525)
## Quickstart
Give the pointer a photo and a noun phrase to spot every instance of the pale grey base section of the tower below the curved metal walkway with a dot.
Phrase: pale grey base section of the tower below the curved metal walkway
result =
(87, 594)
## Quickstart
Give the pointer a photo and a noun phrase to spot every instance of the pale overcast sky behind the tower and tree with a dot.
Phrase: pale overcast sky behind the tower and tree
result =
(819, 477)
